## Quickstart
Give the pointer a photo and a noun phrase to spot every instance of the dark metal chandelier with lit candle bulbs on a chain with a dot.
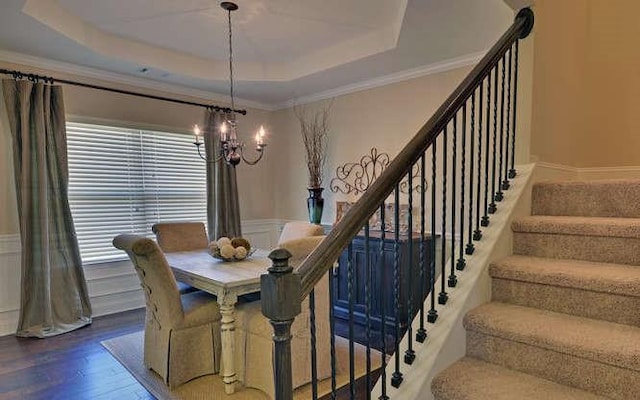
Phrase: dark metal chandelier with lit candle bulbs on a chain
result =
(231, 149)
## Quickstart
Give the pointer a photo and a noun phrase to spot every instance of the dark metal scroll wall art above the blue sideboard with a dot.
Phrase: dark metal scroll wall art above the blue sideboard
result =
(355, 178)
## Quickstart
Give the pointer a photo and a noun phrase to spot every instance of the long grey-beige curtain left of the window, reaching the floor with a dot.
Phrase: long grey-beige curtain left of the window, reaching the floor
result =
(54, 297)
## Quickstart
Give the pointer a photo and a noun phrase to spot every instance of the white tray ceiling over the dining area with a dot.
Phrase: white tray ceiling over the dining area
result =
(284, 50)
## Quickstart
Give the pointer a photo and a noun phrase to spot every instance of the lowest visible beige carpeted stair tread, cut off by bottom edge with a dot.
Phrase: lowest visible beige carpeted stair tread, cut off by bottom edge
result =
(473, 379)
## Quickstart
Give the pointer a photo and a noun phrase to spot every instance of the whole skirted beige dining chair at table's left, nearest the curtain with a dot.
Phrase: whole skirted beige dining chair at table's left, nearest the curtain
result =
(182, 332)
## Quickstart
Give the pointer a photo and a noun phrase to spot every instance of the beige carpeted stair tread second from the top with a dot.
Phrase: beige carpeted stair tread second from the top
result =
(578, 226)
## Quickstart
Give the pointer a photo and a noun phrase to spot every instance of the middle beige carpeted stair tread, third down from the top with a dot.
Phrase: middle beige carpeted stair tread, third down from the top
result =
(619, 279)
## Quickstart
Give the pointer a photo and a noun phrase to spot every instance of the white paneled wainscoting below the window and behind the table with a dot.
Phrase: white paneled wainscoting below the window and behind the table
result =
(113, 287)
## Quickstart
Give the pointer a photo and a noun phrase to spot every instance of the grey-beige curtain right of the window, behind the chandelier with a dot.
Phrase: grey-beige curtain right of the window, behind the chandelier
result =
(223, 208)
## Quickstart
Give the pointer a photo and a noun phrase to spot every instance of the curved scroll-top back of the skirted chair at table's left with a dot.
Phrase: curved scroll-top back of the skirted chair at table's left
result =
(159, 285)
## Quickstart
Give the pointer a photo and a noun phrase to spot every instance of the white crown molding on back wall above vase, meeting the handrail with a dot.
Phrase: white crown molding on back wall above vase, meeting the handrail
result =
(435, 68)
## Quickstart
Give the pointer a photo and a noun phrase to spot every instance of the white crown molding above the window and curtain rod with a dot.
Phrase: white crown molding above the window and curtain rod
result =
(94, 73)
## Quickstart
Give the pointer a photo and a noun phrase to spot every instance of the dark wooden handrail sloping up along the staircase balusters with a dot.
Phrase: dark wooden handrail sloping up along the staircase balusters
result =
(322, 258)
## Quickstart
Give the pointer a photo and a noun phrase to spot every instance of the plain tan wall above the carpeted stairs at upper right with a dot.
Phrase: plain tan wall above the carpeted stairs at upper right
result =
(586, 83)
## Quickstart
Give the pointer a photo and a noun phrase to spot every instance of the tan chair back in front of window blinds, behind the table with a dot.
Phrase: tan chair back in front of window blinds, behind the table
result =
(181, 236)
